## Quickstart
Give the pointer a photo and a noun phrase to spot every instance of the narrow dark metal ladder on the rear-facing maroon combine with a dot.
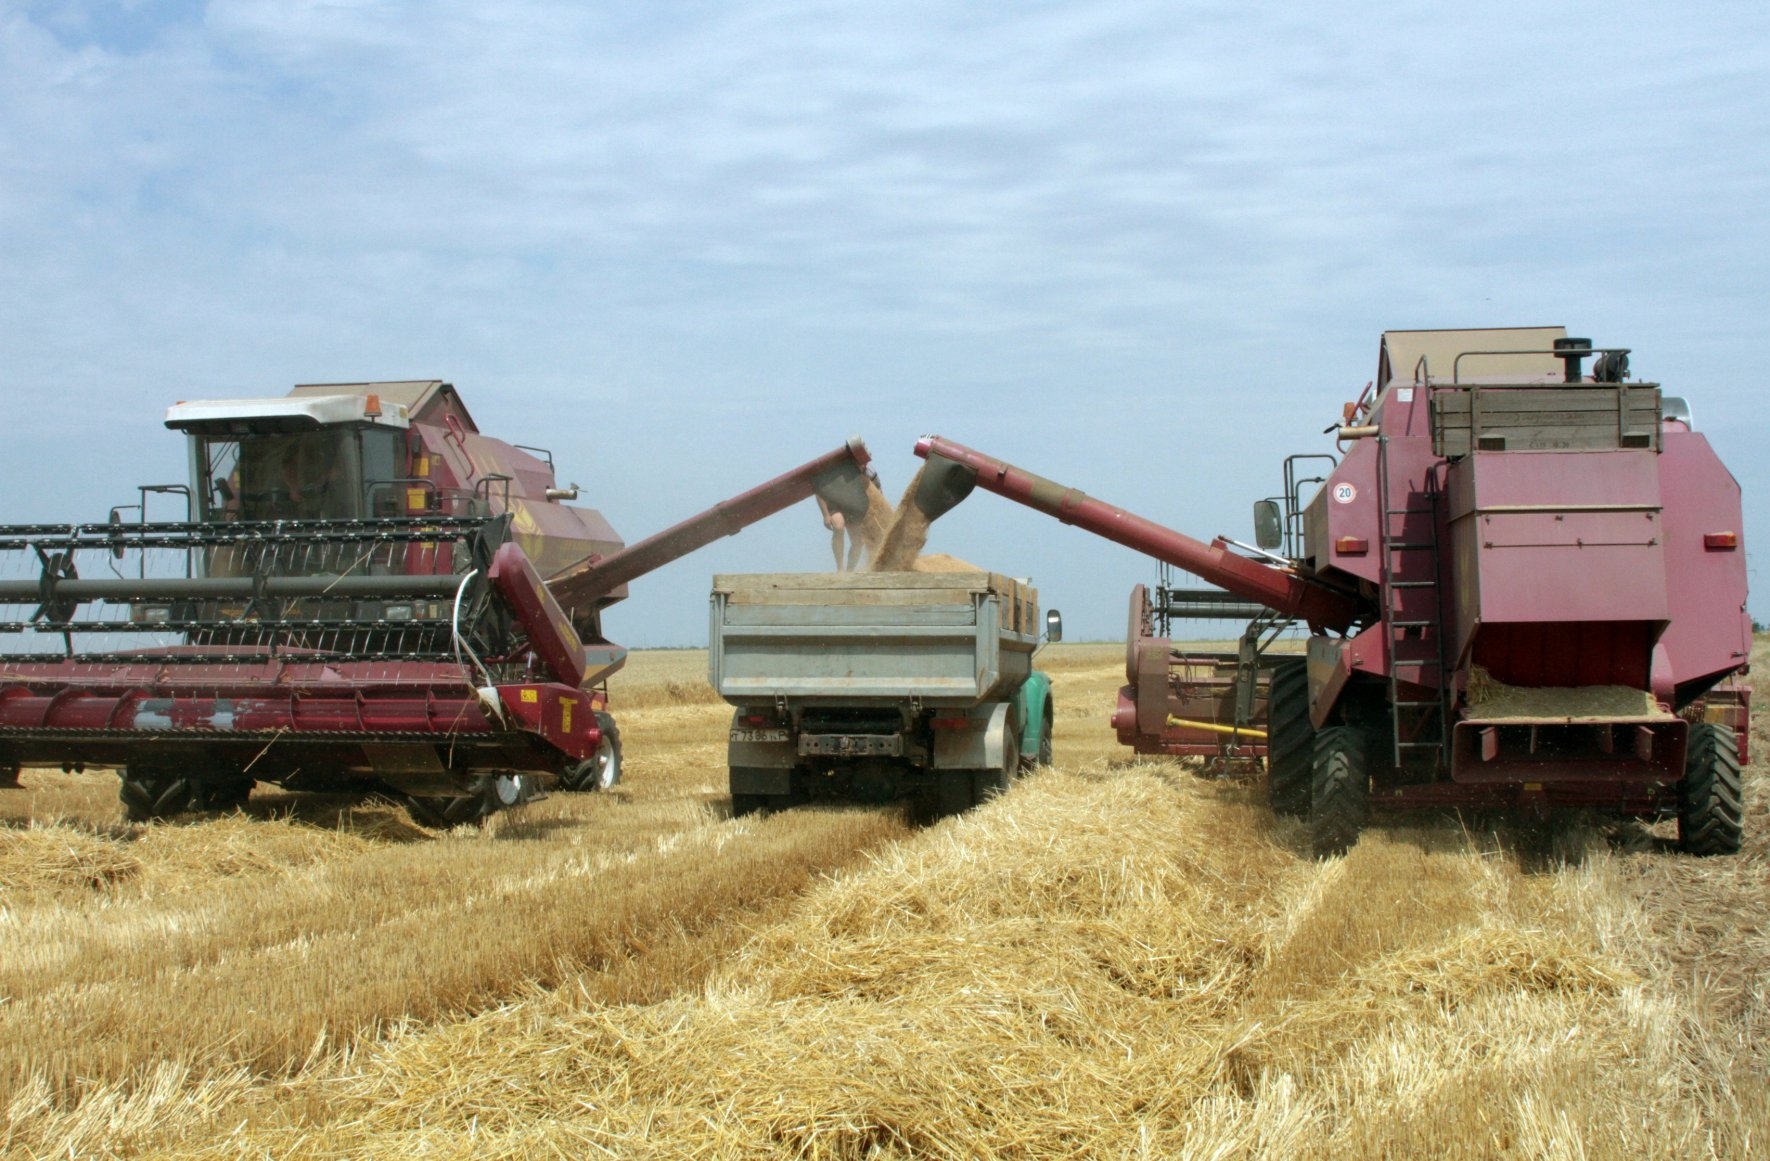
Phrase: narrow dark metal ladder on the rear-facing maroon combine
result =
(1413, 613)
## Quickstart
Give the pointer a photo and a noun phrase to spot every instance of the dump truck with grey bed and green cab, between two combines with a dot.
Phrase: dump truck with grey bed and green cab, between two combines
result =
(881, 686)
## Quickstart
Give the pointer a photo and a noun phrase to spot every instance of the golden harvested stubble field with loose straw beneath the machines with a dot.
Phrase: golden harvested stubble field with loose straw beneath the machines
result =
(1114, 960)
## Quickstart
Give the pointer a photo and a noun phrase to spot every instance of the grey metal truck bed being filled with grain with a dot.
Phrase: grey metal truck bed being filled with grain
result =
(950, 640)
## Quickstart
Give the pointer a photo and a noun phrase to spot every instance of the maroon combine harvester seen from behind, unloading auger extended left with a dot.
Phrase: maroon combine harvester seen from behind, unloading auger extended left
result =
(1525, 588)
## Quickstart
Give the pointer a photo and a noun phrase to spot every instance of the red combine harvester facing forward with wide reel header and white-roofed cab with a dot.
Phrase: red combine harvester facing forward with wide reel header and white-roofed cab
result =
(364, 594)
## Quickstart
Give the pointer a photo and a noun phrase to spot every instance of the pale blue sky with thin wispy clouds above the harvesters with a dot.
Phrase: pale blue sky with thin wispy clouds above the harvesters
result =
(1146, 249)
